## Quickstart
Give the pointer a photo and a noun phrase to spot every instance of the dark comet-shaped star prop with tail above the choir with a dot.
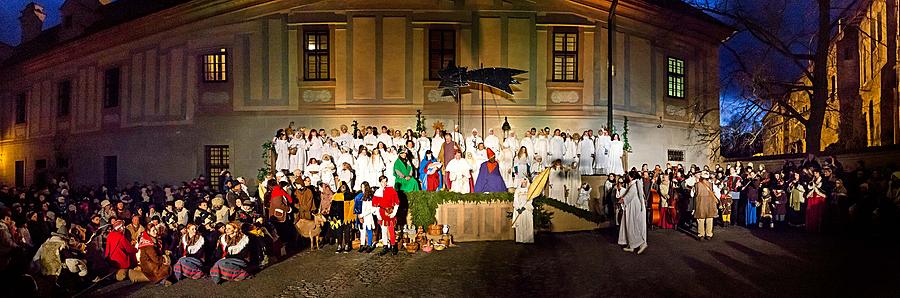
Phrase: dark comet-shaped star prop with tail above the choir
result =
(453, 77)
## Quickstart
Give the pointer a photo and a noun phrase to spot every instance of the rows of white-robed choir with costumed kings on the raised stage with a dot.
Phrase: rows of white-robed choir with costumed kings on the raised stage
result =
(445, 159)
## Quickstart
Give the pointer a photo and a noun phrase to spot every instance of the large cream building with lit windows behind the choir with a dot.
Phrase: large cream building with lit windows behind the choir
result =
(168, 89)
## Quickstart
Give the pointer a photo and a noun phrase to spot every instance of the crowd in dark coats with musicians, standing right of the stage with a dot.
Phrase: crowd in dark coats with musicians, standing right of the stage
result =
(816, 195)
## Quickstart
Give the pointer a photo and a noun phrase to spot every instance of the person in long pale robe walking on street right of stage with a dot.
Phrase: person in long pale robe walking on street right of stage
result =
(633, 230)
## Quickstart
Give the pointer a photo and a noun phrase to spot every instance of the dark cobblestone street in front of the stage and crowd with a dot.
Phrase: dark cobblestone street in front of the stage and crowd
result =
(738, 262)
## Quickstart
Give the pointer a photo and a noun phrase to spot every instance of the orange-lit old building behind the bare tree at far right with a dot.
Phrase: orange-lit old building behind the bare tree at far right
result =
(855, 117)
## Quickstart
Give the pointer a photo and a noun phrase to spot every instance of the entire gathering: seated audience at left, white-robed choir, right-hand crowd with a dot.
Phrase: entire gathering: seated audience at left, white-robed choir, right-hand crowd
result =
(351, 186)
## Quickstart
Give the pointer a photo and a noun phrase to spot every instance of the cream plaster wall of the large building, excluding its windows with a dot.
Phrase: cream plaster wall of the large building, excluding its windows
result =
(379, 76)
